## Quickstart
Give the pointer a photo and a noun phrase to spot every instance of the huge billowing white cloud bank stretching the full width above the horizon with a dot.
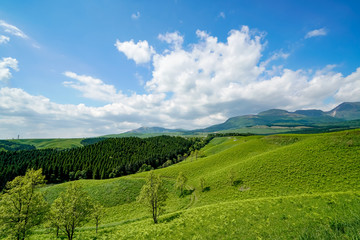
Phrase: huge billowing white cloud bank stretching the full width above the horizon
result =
(191, 87)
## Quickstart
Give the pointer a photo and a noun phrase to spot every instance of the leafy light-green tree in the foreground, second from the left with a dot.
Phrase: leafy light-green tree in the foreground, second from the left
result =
(71, 210)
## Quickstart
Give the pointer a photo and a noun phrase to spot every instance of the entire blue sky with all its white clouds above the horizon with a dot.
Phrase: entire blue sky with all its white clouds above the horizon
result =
(84, 68)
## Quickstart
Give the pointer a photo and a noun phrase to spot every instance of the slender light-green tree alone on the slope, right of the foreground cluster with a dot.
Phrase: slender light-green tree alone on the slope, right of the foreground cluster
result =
(153, 194)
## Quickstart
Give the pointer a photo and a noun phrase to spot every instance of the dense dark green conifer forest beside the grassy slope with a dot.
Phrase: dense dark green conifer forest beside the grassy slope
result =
(107, 158)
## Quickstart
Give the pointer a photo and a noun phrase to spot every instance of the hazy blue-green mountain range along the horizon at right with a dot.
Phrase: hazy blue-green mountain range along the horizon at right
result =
(346, 115)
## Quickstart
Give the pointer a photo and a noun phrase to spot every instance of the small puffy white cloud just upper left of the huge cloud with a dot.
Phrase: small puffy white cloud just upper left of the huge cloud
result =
(140, 52)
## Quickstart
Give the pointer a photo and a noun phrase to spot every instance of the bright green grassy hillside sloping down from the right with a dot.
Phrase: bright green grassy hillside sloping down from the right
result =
(286, 187)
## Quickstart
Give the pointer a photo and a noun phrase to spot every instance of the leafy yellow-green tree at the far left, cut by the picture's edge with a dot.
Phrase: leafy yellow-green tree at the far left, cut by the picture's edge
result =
(21, 206)
